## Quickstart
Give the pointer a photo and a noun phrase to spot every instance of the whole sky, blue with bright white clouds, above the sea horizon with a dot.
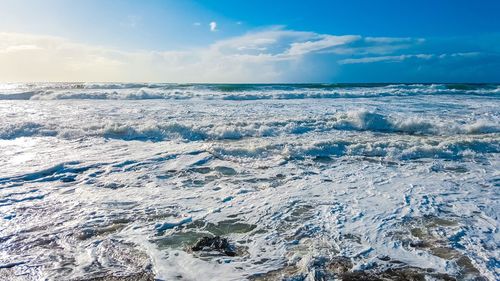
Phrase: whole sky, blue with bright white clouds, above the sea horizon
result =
(250, 41)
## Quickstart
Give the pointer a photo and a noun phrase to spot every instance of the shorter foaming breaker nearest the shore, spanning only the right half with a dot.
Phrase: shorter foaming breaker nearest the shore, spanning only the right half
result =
(450, 148)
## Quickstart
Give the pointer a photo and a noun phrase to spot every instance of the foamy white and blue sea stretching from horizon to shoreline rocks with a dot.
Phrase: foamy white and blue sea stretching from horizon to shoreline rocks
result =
(100, 180)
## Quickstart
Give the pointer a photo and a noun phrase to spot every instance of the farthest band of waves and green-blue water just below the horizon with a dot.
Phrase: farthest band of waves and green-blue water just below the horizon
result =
(237, 92)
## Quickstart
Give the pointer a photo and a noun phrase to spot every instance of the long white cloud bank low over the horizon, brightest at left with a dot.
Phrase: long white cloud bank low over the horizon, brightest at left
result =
(271, 55)
